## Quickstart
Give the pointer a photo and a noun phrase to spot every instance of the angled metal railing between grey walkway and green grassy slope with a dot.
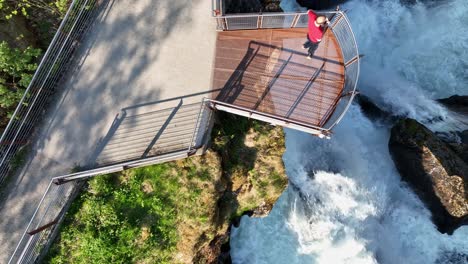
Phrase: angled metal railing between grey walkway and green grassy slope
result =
(45, 222)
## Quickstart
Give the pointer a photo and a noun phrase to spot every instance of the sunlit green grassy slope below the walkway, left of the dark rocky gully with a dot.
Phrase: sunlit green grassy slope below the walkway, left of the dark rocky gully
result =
(132, 217)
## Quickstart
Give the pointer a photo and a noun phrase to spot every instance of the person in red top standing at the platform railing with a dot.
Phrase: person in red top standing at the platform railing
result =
(315, 34)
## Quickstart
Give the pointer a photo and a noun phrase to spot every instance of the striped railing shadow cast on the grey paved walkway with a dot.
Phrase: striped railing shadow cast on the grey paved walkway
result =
(153, 128)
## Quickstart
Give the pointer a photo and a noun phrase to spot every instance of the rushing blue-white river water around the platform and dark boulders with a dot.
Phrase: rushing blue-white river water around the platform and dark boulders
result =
(348, 204)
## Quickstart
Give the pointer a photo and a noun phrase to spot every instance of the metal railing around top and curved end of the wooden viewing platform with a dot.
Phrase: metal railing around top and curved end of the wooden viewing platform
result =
(341, 28)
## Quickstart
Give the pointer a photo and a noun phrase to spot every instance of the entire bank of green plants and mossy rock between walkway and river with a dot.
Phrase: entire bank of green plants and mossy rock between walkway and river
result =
(176, 212)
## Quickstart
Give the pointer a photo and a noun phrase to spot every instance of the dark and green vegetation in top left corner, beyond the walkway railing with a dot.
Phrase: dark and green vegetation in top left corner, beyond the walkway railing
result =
(26, 28)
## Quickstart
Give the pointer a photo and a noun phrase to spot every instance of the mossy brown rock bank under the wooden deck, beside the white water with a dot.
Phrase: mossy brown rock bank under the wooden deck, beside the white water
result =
(253, 178)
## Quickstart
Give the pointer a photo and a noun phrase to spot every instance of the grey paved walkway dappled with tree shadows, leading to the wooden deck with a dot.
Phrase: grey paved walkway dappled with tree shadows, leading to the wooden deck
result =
(123, 57)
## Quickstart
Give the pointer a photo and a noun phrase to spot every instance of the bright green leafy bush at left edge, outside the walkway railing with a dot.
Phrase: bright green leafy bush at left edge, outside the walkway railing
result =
(16, 70)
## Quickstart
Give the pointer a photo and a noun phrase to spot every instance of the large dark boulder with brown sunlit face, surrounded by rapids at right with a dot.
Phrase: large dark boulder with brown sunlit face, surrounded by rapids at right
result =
(433, 170)
